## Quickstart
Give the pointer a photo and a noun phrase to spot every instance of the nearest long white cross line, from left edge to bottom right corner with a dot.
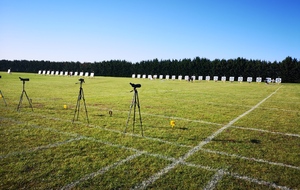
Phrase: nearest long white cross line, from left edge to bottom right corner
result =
(208, 168)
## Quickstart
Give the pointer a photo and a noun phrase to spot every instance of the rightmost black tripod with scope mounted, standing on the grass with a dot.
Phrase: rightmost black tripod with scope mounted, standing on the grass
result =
(135, 102)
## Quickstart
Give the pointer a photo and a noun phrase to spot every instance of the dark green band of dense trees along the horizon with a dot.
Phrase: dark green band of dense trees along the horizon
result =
(288, 69)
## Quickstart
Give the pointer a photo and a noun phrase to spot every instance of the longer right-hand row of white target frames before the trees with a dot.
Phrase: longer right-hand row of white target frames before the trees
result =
(207, 78)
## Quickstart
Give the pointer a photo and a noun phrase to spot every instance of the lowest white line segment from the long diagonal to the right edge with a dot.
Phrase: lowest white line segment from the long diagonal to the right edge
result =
(251, 159)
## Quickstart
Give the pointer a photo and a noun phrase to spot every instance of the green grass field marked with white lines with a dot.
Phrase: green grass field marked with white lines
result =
(226, 135)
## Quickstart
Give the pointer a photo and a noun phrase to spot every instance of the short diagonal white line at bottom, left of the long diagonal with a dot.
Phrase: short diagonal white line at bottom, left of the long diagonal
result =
(102, 171)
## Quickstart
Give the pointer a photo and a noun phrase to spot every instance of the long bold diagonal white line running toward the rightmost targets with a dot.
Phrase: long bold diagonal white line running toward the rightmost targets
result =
(153, 178)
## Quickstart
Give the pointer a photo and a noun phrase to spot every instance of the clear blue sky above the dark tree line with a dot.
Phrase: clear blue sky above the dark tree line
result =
(136, 30)
